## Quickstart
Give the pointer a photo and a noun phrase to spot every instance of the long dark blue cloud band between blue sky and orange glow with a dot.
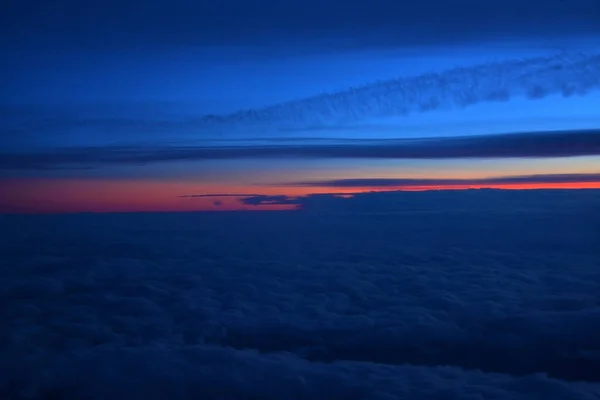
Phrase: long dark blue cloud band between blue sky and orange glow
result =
(515, 145)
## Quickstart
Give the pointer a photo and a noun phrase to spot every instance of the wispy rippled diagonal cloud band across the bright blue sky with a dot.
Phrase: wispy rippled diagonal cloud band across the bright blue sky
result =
(535, 78)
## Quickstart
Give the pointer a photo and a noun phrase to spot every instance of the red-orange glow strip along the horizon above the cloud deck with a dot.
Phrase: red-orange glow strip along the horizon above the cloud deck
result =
(73, 196)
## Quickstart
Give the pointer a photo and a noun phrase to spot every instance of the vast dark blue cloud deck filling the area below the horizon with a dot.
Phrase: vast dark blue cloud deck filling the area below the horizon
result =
(481, 301)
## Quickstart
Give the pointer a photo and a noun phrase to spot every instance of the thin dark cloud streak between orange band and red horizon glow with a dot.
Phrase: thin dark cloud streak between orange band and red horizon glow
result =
(518, 179)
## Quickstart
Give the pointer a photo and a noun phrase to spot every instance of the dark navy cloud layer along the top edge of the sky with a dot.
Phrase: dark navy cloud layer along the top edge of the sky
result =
(156, 24)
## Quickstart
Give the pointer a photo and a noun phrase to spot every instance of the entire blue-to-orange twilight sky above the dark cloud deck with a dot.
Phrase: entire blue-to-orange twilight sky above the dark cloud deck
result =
(192, 105)
